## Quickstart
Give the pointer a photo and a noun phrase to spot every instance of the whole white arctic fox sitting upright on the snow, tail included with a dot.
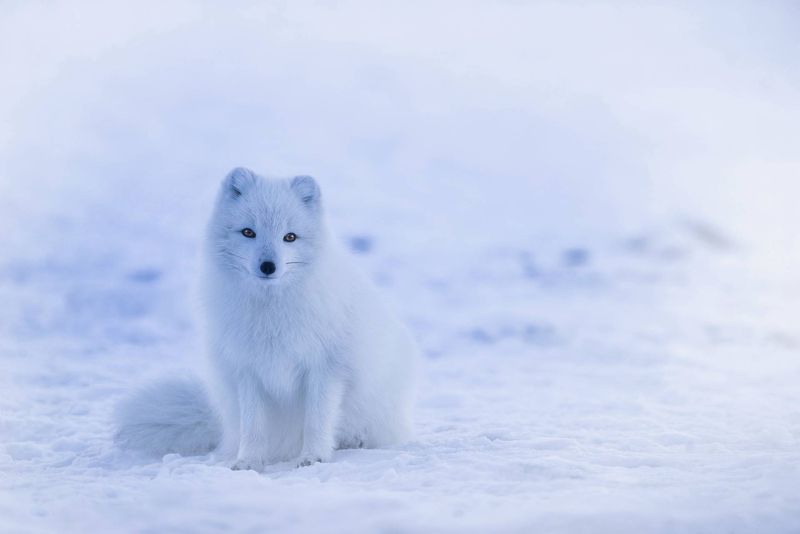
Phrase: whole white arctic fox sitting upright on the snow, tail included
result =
(304, 357)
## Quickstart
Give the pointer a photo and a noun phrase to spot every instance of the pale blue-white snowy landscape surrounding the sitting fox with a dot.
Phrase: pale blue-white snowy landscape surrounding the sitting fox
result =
(585, 212)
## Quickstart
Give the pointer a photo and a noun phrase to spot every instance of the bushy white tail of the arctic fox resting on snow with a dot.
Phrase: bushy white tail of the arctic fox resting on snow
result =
(170, 416)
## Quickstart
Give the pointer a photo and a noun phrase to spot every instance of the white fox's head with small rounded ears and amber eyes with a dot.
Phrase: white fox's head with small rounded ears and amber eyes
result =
(268, 230)
